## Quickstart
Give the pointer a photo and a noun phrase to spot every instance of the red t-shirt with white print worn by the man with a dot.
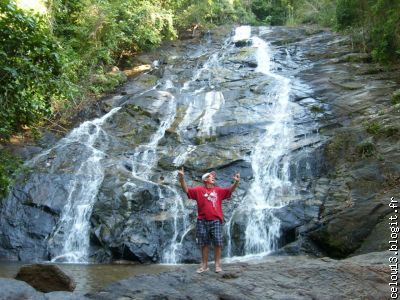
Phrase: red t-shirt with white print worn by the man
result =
(209, 201)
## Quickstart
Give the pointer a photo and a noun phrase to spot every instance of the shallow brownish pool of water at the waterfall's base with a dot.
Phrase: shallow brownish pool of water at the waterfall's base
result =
(92, 277)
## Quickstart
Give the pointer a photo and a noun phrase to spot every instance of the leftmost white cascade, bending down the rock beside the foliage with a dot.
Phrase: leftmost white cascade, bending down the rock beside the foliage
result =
(72, 230)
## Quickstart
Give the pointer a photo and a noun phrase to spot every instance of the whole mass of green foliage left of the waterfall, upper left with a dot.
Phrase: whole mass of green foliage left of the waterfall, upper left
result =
(50, 63)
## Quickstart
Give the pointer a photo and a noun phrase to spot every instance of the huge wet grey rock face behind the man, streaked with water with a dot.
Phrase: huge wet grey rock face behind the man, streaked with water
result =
(204, 105)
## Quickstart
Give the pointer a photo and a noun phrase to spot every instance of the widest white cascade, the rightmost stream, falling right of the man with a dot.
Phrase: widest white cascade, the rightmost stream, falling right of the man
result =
(270, 163)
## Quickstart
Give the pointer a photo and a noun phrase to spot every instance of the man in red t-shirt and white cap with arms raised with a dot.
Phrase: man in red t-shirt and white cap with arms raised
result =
(210, 217)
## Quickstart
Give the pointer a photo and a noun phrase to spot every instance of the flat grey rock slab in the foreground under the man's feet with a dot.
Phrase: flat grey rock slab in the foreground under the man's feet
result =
(287, 277)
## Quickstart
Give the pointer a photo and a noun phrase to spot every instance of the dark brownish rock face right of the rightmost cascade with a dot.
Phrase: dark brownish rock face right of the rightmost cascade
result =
(352, 101)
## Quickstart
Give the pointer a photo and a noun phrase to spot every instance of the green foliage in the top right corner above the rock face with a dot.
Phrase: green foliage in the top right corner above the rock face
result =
(374, 25)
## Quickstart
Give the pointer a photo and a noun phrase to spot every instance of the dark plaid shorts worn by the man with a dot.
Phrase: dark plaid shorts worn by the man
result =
(209, 231)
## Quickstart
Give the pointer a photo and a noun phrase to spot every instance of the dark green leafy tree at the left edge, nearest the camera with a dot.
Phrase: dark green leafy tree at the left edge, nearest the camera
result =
(30, 68)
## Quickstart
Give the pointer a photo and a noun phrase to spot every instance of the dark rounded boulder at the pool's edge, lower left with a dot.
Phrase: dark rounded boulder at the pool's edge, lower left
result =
(46, 278)
